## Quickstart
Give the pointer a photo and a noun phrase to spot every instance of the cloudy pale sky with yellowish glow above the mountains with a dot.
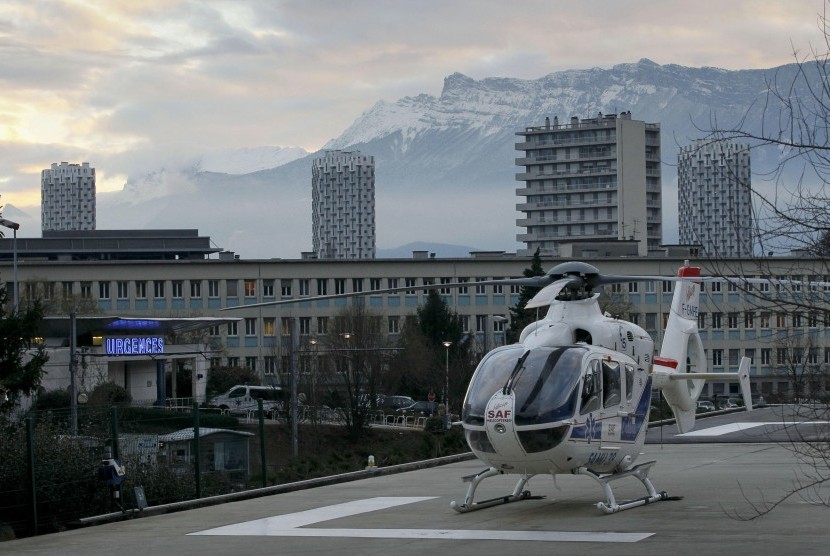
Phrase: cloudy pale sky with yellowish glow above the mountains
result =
(129, 85)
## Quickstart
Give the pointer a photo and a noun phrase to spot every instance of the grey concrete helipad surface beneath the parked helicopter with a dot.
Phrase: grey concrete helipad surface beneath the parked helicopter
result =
(721, 485)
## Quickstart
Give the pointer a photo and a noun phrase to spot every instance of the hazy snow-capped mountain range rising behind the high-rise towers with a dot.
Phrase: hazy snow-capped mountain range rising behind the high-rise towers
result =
(445, 165)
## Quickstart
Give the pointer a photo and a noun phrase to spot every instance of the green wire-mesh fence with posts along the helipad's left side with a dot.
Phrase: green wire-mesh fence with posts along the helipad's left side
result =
(50, 478)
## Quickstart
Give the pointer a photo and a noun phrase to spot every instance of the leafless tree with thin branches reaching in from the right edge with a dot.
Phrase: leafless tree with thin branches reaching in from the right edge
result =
(788, 130)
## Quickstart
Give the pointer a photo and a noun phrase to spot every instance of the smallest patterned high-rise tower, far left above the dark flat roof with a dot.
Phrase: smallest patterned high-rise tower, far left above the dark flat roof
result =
(67, 197)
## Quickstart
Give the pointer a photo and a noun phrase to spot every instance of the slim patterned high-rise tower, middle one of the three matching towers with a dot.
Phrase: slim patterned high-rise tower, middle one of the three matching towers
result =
(343, 205)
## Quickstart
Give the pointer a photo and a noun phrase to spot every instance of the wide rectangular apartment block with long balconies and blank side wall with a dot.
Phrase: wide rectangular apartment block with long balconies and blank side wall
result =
(590, 179)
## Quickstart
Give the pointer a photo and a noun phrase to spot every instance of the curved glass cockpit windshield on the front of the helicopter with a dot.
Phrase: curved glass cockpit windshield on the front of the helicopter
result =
(543, 381)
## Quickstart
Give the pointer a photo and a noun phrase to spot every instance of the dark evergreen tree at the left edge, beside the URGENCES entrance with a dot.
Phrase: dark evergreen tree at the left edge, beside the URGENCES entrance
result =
(20, 372)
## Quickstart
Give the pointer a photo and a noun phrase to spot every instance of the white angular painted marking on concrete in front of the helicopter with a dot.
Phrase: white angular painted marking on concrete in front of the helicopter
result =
(289, 525)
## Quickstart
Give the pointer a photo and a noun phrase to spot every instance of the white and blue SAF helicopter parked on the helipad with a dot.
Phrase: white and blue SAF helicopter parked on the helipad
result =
(573, 395)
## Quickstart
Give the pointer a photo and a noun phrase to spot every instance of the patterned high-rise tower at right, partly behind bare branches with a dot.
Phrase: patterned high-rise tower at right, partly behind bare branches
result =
(715, 199)
